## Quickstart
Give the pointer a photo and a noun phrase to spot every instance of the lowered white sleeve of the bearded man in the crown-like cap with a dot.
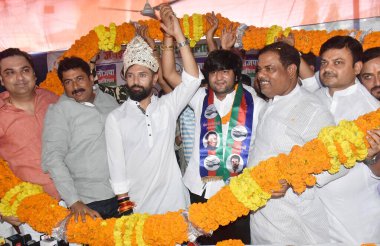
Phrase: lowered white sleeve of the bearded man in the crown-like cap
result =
(116, 160)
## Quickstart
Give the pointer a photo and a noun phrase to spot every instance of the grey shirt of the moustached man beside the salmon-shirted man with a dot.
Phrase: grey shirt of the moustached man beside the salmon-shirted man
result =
(74, 148)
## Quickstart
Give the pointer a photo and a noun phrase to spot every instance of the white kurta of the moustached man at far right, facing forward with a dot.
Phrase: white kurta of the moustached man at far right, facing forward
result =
(352, 201)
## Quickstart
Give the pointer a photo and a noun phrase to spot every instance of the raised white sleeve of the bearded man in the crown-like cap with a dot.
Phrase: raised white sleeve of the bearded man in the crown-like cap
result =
(183, 93)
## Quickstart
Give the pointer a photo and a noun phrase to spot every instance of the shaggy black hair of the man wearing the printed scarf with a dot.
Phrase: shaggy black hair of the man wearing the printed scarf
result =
(218, 60)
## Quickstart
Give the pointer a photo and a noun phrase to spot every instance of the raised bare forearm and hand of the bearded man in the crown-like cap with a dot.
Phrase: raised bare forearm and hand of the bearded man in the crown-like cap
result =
(171, 26)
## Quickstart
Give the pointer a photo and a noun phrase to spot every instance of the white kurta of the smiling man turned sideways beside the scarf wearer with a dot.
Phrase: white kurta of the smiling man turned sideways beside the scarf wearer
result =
(289, 120)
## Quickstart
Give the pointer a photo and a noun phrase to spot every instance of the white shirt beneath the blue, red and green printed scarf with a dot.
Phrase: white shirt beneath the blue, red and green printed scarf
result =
(192, 178)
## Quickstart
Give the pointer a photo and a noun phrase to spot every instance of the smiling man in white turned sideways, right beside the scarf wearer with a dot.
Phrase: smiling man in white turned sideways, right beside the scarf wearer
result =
(293, 116)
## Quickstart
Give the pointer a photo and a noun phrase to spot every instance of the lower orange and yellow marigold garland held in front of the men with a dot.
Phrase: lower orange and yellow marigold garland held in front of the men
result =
(345, 143)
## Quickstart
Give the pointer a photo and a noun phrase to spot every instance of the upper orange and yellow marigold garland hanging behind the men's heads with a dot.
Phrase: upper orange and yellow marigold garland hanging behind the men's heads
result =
(195, 27)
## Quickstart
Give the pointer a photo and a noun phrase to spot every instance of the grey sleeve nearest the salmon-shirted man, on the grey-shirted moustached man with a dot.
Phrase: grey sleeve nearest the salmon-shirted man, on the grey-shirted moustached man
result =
(55, 145)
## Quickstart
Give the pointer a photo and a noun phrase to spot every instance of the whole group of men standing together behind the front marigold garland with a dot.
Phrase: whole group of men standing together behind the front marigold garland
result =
(107, 160)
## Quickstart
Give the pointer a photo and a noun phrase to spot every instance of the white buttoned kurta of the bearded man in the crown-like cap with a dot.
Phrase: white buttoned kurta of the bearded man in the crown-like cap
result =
(141, 153)
